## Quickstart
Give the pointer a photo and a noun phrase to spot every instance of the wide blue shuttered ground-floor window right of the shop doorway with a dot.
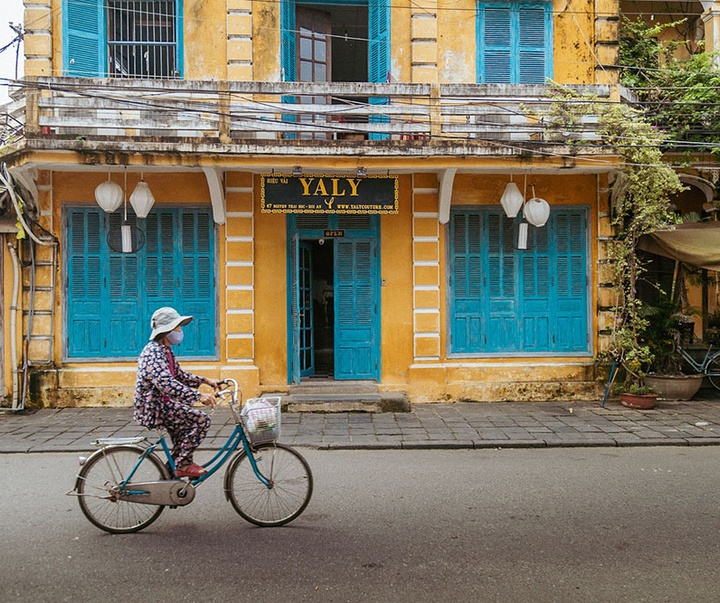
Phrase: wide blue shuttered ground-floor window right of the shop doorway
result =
(507, 300)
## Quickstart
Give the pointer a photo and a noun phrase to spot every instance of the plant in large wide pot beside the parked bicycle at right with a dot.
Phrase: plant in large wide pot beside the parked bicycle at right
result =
(666, 325)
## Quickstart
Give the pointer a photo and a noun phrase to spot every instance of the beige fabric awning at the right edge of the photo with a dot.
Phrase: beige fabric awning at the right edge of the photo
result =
(697, 244)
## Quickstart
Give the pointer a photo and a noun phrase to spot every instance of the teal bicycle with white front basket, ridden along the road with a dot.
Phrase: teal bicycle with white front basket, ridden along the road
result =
(124, 486)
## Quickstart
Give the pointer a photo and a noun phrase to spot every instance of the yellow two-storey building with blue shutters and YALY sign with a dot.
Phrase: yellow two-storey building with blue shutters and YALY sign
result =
(326, 181)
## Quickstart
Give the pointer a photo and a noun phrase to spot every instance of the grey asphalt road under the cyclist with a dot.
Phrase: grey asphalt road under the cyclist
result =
(555, 525)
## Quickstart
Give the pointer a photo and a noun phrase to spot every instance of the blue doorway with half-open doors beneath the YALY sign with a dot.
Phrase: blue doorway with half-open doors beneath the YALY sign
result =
(334, 291)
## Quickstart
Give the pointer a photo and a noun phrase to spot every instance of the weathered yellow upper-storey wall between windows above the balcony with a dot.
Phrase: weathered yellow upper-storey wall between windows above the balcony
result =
(433, 41)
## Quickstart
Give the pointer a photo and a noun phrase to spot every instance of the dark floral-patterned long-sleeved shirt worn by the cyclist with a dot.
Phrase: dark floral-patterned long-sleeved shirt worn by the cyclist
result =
(155, 384)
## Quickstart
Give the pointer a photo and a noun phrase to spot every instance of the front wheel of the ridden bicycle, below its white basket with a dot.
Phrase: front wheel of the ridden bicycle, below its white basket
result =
(284, 499)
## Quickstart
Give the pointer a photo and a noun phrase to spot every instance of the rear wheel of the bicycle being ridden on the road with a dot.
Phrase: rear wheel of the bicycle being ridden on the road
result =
(98, 489)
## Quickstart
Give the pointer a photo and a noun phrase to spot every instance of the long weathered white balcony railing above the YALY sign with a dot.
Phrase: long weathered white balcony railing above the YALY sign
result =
(326, 119)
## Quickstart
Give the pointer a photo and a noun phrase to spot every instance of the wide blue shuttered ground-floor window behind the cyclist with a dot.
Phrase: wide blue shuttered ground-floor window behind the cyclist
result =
(112, 295)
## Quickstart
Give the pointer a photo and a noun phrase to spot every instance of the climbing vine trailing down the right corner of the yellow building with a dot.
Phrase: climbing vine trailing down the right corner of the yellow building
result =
(640, 205)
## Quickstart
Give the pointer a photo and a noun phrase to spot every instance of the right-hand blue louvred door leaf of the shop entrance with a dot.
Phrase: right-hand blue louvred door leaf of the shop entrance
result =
(356, 309)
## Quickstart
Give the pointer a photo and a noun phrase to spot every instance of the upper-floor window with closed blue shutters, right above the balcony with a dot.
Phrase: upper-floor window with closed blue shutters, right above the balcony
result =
(514, 43)
